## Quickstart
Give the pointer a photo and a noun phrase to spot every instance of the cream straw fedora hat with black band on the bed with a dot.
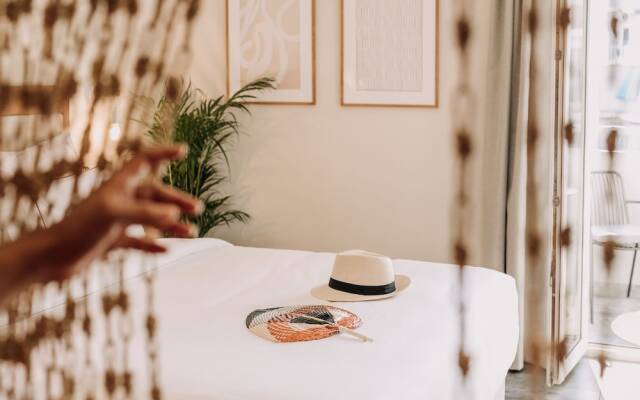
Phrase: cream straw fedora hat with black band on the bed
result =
(360, 276)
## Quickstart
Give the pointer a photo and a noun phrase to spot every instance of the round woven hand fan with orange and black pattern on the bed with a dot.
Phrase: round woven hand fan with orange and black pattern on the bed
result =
(302, 323)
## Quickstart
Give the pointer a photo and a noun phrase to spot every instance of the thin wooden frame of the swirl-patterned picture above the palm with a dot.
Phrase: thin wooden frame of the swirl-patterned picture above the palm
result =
(310, 98)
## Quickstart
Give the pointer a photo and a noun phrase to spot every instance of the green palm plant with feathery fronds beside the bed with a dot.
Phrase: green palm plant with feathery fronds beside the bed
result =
(207, 126)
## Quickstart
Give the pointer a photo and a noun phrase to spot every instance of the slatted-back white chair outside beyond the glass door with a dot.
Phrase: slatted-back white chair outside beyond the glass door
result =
(610, 219)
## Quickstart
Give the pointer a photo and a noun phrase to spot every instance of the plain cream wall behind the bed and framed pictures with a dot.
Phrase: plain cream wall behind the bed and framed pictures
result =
(329, 178)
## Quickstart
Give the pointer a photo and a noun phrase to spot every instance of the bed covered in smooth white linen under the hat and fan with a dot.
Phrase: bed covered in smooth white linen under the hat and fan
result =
(208, 353)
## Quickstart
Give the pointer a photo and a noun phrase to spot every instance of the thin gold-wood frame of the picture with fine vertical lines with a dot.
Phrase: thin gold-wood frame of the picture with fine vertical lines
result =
(436, 67)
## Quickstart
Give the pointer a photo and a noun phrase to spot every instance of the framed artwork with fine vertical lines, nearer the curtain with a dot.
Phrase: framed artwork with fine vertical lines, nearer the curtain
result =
(390, 53)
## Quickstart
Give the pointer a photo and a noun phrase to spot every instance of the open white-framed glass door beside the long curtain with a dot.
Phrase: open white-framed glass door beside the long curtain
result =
(568, 280)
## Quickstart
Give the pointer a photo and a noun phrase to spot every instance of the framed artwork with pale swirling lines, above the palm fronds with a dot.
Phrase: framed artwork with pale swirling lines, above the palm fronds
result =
(272, 38)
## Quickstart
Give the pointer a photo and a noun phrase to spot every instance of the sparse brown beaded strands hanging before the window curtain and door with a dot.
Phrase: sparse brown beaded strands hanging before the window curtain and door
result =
(463, 135)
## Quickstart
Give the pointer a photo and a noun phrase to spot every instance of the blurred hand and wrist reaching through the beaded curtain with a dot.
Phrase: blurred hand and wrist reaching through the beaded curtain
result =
(99, 223)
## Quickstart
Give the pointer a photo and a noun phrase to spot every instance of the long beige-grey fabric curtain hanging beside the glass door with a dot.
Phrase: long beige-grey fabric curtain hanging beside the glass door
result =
(504, 199)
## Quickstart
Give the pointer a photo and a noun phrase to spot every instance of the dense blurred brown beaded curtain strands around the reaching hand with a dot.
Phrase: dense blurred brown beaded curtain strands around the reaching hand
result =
(105, 53)
